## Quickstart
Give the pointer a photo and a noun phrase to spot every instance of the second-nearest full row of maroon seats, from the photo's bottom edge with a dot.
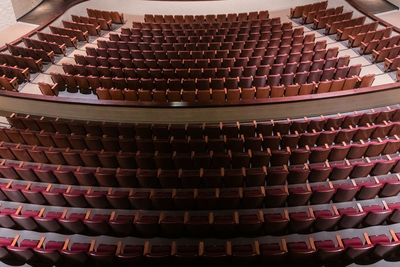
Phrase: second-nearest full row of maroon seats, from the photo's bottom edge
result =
(231, 223)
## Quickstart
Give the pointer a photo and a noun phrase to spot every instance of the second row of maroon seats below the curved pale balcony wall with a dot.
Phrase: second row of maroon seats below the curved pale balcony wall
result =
(353, 138)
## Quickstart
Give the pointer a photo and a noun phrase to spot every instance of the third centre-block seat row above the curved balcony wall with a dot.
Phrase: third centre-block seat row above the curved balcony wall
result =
(227, 70)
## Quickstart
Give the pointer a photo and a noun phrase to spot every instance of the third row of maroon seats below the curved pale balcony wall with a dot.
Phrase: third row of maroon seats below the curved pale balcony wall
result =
(194, 154)
